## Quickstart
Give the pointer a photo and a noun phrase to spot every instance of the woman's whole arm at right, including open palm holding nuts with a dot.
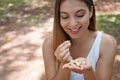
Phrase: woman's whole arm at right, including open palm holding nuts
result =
(104, 65)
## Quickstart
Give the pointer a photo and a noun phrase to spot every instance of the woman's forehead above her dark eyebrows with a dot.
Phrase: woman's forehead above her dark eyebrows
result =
(72, 5)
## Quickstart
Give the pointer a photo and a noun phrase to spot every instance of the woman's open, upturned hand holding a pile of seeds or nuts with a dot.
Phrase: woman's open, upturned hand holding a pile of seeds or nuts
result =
(79, 65)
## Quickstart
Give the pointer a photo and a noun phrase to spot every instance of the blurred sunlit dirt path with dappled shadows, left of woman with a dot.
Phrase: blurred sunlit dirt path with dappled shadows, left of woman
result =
(21, 53)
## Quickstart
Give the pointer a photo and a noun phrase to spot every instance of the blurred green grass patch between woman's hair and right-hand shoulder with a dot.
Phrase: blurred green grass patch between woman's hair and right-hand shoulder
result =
(109, 24)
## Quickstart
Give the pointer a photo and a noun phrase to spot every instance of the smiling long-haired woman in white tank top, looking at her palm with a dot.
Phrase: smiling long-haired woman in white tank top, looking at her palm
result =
(76, 51)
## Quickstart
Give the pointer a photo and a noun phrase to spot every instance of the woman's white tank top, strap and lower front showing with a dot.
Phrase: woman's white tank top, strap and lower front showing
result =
(92, 56)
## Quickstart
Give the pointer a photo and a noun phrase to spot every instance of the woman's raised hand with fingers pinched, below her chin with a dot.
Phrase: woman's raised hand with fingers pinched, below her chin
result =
(62, 52)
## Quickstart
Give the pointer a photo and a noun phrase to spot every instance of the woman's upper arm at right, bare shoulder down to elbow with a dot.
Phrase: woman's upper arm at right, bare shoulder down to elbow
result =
(107, 54)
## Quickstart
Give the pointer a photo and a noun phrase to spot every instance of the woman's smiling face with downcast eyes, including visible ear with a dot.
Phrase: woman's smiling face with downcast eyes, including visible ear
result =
(74, 17)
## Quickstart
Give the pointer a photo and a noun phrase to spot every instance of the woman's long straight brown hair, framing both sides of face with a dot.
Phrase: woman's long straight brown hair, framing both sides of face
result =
(59, 35)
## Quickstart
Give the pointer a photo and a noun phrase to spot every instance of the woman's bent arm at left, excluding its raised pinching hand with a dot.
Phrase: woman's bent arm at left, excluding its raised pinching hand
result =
(49, 62)
